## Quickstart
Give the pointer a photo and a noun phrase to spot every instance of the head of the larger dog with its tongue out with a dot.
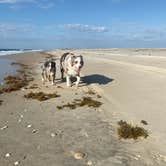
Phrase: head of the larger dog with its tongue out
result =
(77, 62)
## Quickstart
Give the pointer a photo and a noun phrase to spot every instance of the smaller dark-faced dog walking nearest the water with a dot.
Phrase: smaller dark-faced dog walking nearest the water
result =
(49, 71)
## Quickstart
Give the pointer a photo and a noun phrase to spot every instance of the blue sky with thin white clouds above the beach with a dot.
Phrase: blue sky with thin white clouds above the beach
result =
(50, 24)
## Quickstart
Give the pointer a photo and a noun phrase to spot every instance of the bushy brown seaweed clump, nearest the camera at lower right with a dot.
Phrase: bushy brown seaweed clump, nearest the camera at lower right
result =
(127, 131)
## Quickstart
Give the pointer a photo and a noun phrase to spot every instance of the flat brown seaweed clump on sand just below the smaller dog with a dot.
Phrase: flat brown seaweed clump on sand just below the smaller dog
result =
(41, 96)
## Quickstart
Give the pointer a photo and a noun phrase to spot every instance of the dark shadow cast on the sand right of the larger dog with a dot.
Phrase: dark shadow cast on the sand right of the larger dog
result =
(96, 79)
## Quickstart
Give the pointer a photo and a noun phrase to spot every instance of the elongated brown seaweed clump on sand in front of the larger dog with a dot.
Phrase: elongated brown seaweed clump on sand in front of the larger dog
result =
(81, 102)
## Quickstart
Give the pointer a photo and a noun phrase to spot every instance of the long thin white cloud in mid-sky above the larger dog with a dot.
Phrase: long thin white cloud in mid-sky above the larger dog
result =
(85, 28)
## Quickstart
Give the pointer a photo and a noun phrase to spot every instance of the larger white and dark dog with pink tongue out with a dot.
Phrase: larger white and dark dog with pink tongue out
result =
(71, 64)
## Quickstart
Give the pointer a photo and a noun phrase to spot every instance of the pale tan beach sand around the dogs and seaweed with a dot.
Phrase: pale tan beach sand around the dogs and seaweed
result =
(131, 83)
